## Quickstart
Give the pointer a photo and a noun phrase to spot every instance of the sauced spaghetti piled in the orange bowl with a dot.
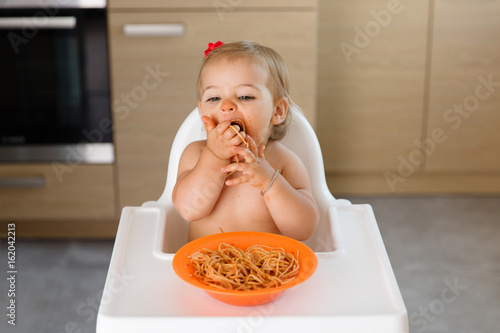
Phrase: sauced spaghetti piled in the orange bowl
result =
(258, 267)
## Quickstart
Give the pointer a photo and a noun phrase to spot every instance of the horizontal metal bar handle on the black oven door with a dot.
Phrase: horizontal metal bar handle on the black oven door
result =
(59, 22)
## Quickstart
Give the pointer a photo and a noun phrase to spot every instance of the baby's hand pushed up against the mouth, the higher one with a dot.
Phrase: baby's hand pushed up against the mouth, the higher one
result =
(221, 138)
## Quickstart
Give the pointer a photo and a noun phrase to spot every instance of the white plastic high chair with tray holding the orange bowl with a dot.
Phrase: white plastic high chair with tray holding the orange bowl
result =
(352, 290)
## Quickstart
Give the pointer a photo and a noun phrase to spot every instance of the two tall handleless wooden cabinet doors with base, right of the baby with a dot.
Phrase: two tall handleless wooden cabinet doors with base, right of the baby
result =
(391, 73)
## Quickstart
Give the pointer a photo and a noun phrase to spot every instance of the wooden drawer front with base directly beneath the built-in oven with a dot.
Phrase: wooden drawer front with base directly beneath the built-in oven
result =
(55, 200)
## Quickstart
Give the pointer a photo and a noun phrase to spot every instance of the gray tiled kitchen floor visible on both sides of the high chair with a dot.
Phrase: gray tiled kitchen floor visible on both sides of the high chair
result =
(444, 250)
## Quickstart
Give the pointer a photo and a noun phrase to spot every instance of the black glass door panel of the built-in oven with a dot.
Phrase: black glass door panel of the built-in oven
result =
(54, 84)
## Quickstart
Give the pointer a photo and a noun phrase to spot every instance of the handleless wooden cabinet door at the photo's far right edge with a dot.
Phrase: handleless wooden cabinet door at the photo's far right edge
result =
(465, 87)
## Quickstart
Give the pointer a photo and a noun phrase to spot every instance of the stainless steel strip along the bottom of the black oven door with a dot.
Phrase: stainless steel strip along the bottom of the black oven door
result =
(71, 154)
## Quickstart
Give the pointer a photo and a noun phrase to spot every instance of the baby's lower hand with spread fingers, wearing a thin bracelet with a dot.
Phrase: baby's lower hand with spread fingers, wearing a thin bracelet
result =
(254, 168)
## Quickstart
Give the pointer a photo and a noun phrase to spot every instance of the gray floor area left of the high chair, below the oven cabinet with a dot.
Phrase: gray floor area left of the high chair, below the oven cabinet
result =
(59, 285)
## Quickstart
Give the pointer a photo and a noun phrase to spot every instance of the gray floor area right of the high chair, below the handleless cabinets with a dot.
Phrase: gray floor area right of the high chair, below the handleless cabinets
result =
(446, 257)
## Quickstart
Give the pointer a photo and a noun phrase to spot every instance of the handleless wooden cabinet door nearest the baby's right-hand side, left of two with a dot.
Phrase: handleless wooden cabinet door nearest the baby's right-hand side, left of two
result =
(372, 67)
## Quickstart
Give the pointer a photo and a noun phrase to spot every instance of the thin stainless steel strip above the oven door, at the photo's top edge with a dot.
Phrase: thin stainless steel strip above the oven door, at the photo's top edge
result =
(52, 4)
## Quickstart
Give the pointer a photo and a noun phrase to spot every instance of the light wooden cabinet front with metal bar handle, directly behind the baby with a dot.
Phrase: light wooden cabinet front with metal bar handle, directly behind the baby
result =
(154, 76)
